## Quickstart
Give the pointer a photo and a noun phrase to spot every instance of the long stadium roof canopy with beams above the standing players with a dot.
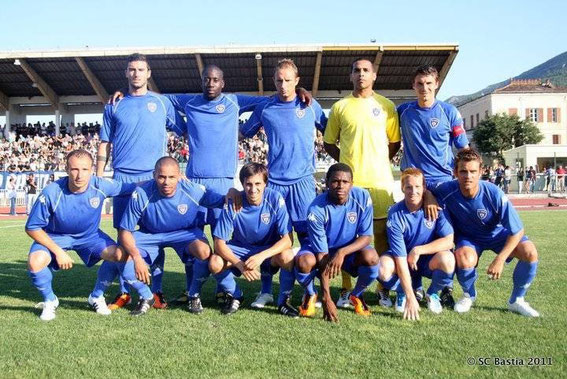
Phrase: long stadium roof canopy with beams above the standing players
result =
(61, 77)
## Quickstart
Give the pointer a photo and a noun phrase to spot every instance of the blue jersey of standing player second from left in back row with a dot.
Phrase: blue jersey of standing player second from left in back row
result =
(212, 130)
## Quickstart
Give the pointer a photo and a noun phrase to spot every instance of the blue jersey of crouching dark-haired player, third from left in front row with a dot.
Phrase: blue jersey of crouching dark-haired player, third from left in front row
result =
(255, 225)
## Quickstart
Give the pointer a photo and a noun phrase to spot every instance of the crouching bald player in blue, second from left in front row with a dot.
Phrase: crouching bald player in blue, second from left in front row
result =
(165, 210)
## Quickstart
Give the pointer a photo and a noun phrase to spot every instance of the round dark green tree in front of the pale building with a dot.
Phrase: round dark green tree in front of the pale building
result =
(501, 132)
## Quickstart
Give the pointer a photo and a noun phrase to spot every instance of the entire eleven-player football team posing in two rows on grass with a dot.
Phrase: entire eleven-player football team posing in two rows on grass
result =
(447, 218)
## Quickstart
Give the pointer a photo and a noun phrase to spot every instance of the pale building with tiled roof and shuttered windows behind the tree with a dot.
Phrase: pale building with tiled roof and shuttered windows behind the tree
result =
(541, 102)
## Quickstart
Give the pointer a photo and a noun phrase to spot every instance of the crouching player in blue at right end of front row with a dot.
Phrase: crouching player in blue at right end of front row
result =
(484, 219)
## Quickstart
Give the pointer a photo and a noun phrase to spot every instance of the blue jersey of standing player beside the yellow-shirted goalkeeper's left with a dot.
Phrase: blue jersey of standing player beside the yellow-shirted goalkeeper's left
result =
(290, 129)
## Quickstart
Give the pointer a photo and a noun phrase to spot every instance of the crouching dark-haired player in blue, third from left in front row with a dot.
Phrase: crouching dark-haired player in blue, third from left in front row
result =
(259, 233)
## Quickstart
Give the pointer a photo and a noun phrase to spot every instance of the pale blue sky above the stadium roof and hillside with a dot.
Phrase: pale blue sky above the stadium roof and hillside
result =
(498, 39)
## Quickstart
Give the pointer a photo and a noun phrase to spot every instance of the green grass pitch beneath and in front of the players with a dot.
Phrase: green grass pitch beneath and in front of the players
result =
(260, 344)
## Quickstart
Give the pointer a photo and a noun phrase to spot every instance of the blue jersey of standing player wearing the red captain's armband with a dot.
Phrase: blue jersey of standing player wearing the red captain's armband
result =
(428, 135)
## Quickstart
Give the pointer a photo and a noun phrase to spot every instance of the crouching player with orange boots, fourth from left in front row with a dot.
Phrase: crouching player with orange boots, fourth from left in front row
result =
(340, 232)
